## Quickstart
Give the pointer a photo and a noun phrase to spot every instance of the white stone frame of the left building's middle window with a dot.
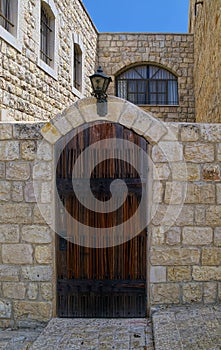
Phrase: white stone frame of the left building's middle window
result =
(51, 68)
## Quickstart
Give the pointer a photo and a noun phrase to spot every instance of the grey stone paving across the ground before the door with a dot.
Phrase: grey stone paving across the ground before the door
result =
(175, 328)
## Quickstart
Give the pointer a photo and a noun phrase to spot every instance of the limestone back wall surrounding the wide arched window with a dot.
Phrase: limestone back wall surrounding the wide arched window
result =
(118, 51)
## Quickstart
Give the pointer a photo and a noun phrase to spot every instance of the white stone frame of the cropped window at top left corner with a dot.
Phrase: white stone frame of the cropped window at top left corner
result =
(14, 36)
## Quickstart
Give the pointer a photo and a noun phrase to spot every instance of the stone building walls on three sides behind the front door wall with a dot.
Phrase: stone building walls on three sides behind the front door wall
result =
(29, 91)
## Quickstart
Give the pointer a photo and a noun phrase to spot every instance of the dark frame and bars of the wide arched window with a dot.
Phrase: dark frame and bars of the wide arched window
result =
(161, 95)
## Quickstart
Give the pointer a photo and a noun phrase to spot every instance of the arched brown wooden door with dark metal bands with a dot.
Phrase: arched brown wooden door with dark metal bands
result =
(107, 281)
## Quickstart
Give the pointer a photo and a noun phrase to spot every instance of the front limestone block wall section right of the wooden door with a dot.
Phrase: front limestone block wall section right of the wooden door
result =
(185, 243)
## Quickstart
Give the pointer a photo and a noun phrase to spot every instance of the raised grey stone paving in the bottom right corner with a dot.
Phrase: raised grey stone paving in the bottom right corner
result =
(188, 328)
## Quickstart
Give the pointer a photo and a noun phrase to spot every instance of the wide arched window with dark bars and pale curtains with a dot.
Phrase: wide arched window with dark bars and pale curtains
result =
(148, 85)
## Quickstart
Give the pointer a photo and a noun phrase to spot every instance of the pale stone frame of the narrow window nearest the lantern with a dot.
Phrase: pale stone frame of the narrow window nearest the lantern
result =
(77, 44)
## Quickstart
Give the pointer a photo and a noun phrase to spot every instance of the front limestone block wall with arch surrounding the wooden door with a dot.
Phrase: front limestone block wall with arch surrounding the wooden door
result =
(184, 230)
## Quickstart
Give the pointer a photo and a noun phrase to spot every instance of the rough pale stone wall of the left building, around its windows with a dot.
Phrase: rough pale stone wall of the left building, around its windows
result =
(26, 91)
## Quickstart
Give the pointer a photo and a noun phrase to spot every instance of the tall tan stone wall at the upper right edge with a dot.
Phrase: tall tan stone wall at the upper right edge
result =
(206, 26)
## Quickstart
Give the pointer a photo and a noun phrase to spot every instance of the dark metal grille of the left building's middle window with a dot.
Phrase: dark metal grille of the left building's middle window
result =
(46, 37)
